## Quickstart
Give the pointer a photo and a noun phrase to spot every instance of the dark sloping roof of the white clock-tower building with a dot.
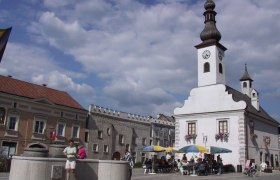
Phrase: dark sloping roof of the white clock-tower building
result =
(238, 96)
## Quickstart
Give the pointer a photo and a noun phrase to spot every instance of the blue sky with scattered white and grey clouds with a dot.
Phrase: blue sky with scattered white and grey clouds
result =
(138, 56)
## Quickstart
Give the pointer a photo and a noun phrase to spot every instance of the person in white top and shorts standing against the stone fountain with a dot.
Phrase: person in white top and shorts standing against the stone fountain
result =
(70, 153)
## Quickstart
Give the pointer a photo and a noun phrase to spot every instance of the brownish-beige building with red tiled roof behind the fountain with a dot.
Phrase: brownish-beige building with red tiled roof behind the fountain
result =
(30, 113)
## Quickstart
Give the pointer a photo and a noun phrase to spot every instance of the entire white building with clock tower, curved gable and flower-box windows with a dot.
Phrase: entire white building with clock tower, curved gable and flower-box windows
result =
(217, 115)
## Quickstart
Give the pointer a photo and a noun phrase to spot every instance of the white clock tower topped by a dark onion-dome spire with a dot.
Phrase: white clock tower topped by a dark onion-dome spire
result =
(210, 52)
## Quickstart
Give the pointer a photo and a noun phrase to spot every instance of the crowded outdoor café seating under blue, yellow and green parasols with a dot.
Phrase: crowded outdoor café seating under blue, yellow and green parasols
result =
(202, 161)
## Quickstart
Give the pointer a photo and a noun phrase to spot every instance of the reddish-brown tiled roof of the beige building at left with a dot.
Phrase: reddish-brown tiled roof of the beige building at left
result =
(17, 87)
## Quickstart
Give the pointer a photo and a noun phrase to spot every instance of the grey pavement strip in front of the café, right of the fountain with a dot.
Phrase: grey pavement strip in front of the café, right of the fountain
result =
(139, 175)
